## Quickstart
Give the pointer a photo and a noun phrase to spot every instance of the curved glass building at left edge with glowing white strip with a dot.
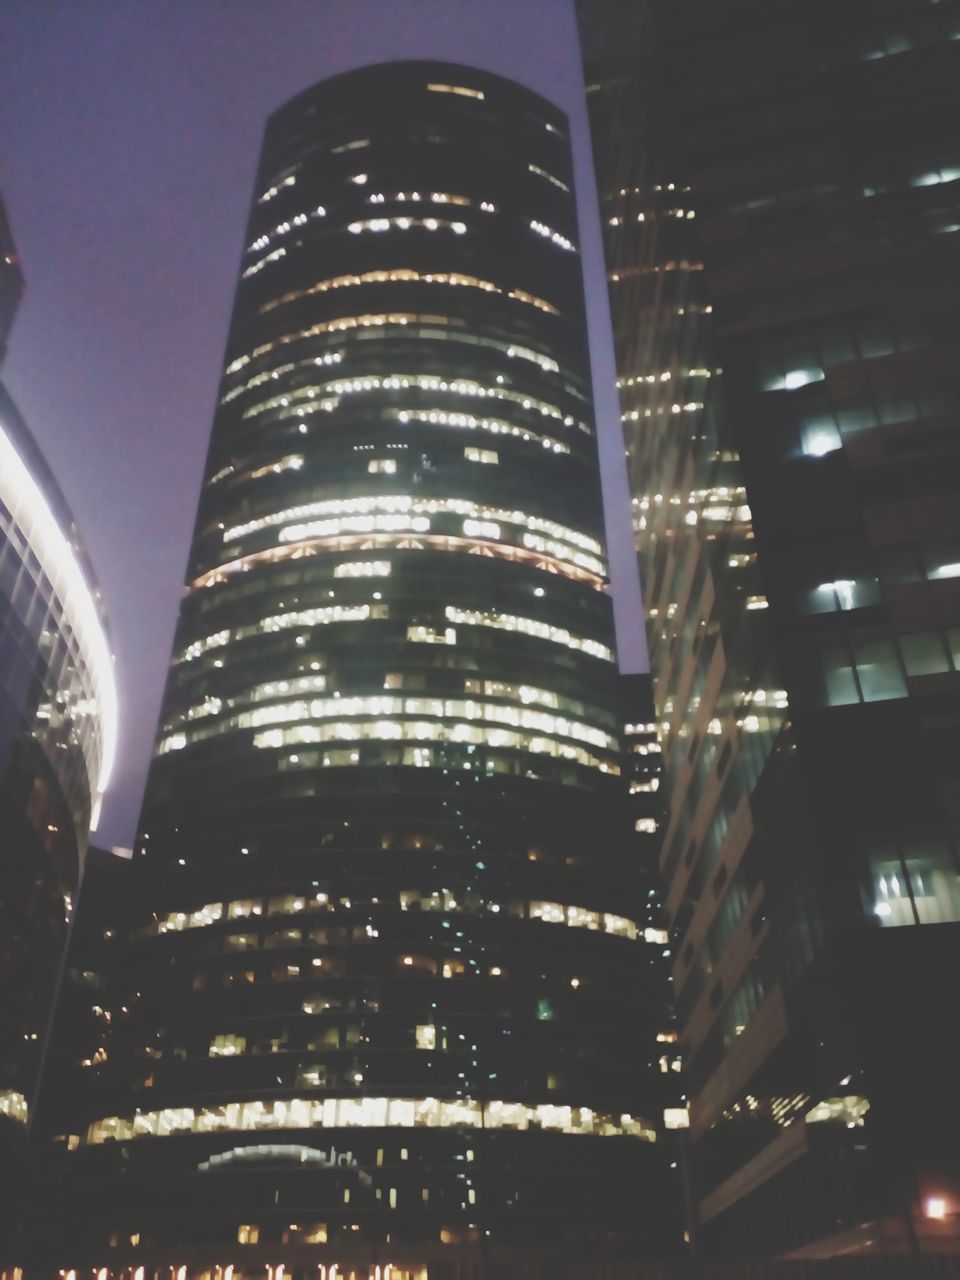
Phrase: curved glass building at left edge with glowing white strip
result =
(58, 728)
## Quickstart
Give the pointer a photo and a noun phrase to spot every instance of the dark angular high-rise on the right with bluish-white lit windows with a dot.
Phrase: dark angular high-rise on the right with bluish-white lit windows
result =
(780, 191)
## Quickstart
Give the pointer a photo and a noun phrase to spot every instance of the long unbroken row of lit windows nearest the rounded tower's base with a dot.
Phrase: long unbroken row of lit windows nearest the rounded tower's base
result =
(368, 1114)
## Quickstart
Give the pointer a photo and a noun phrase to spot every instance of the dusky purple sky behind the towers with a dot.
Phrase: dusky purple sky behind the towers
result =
(130, 134)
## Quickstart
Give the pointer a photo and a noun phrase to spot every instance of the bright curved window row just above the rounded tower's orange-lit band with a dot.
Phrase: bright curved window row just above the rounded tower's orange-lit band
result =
(404, 505)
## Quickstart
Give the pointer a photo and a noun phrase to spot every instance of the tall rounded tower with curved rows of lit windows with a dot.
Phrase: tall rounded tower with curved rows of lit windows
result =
(391, 985)
